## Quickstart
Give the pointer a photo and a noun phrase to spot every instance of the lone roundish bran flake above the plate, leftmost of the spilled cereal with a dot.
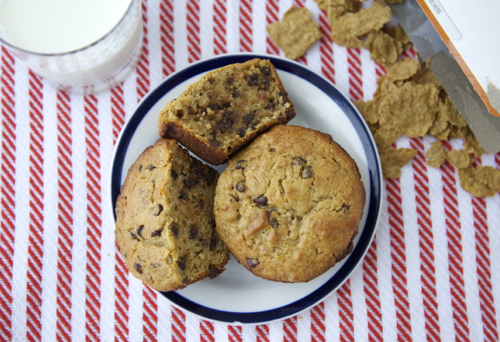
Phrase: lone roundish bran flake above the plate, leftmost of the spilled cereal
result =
(295, 33)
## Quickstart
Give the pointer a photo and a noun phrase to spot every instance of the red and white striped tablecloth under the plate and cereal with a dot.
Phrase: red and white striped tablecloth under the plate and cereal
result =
(430, 273)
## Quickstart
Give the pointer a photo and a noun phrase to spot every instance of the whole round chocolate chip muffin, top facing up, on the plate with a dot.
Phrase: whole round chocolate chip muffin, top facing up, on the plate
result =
(289, 204)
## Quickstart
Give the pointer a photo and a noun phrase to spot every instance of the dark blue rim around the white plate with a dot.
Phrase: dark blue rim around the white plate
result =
(374, 171)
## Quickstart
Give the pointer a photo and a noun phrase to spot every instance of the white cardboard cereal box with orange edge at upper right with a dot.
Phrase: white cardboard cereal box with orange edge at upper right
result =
(470, 31)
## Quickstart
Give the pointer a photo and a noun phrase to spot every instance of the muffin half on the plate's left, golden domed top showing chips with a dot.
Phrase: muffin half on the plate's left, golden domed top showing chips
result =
(165, 225)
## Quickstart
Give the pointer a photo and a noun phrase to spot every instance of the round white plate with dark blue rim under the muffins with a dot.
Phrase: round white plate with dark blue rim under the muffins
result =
(237, 296)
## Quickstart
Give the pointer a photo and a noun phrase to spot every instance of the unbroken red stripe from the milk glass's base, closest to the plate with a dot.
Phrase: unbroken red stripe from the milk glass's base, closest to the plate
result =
(94, 221)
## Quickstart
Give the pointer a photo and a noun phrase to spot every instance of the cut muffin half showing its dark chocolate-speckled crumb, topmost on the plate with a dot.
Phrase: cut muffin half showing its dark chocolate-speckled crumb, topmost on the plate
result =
(226, 109)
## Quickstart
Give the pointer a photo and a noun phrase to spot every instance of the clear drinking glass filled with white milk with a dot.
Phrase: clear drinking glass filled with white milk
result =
(81, 46)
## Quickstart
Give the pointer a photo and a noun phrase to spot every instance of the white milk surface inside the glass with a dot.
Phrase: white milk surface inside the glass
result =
(57, 26)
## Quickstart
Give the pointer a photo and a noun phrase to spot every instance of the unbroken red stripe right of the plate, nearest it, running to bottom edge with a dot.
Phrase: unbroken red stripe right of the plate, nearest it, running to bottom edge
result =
(398, 259)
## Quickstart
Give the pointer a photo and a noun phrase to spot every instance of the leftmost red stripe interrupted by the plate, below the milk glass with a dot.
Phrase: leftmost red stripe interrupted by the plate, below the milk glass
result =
(121, 273)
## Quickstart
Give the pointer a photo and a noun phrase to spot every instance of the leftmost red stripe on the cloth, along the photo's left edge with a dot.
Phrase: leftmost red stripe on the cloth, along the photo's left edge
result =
(7, 183)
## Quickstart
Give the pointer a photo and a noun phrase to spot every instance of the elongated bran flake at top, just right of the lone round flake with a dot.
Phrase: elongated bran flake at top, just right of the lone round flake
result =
(347, 29)
